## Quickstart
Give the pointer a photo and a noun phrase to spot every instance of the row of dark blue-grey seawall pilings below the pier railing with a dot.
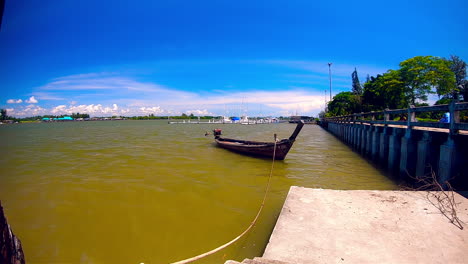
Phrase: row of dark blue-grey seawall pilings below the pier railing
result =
(408, 152)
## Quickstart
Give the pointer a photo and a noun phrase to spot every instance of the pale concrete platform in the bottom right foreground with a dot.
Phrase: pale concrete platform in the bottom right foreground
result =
(330, 226)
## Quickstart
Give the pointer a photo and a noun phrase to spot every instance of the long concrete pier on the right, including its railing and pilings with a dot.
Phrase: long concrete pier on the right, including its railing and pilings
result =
(409, 148)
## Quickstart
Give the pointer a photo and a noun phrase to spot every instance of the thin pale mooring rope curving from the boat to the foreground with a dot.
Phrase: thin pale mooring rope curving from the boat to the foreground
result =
(248, 228)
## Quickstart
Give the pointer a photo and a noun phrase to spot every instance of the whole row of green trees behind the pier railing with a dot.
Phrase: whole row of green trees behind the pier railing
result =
(411, 84)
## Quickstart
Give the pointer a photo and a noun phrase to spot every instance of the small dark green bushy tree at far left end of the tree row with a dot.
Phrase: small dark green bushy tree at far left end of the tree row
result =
(344, 103)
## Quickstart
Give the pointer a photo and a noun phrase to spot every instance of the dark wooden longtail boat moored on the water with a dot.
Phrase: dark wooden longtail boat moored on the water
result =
(255, 148)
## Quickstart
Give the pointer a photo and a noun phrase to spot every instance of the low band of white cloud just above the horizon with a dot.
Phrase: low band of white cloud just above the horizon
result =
(271, 103)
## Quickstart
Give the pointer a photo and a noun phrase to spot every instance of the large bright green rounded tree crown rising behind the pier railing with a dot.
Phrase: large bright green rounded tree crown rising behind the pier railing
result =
(421, 74)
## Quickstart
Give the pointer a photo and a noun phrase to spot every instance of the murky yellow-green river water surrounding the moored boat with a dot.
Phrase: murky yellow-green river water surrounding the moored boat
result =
(150, 192)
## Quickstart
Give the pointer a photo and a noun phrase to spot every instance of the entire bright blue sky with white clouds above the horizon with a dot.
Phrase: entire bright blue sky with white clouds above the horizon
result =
(209, 57)
